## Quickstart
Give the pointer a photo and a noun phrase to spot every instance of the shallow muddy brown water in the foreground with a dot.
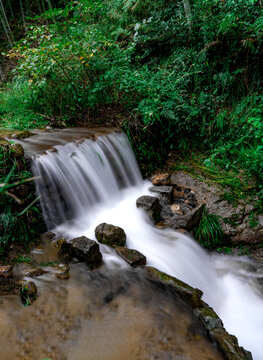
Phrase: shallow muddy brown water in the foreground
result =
(101, 315)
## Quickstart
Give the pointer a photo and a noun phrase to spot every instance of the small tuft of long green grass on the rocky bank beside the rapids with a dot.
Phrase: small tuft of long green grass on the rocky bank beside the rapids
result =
(209, 232)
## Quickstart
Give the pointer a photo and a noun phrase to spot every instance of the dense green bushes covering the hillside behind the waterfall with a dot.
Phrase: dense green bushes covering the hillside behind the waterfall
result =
(200, 81)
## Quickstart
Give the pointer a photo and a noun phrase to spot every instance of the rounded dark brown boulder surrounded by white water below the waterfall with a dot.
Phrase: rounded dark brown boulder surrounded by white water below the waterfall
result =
(110, 235)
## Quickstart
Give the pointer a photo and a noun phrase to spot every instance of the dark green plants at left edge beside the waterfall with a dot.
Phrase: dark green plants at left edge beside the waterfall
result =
(19, 223)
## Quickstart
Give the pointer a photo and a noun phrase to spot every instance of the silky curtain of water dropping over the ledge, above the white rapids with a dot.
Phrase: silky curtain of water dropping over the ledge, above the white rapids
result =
(73, 178)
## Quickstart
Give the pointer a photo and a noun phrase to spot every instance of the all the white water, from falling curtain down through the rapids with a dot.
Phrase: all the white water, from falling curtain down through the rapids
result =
(99, 181)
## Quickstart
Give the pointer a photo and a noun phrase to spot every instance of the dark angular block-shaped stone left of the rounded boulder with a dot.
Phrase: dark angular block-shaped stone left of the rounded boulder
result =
(86, 250)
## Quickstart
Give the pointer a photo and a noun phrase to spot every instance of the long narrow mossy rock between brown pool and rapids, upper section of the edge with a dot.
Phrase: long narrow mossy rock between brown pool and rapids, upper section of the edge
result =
(186, 292)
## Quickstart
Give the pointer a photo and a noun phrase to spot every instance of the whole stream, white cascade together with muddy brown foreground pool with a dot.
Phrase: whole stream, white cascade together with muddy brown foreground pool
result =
(99, 181)
